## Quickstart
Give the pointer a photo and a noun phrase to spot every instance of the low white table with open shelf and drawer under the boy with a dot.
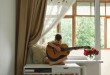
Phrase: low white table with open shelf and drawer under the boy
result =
(70, 68)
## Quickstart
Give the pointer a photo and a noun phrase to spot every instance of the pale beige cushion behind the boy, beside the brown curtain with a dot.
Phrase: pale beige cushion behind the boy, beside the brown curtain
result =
(39, 53)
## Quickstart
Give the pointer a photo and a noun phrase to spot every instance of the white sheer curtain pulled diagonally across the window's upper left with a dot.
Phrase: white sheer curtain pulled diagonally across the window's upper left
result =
(56, 10)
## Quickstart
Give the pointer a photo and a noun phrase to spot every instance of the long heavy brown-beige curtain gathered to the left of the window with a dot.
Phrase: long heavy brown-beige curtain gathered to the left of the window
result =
(29, 24)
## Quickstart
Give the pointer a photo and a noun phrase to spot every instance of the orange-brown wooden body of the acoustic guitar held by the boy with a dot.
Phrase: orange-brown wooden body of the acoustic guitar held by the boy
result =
(54, 54)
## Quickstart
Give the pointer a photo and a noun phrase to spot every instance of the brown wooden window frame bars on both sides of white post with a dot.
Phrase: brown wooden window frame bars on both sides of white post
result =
(74, 15)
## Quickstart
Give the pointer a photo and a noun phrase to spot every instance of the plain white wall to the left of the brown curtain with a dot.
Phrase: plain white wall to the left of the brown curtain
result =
(7, 37)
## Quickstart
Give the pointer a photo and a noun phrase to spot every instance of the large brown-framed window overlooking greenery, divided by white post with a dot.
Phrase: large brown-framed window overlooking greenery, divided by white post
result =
(77, 27)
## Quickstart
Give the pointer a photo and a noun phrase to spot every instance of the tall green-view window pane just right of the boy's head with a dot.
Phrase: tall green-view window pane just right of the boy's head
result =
(66, 31)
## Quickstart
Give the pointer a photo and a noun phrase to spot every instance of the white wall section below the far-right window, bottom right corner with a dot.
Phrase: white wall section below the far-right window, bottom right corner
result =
(105, 66)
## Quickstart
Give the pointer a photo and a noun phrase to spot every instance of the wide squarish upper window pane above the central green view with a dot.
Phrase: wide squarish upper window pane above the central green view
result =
(83, 8)
